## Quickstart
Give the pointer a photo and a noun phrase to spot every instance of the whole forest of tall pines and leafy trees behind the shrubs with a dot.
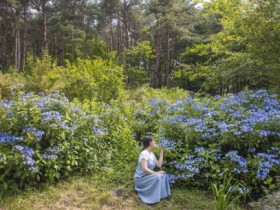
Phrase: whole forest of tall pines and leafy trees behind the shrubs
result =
(212, 47)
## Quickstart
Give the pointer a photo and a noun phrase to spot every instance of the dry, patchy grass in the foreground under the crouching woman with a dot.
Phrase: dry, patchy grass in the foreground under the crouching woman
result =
(98, 192)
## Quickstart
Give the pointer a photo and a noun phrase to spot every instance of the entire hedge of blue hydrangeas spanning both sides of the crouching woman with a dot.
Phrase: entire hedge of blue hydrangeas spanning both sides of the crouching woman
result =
(46, 137)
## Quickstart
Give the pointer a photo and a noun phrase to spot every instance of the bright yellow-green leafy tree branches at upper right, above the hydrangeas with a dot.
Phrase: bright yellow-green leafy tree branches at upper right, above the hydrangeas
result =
(241, 55)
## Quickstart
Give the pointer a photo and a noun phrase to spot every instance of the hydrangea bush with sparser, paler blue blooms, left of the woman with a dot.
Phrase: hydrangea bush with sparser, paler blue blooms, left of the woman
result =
(45, 138)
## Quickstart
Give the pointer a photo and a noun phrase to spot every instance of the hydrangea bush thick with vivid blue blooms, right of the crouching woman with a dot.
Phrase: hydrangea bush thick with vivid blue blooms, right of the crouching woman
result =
(236, 134)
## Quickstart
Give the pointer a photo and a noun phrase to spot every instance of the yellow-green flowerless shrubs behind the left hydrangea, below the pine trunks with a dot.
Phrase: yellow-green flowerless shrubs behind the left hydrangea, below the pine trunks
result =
(96, 79)
